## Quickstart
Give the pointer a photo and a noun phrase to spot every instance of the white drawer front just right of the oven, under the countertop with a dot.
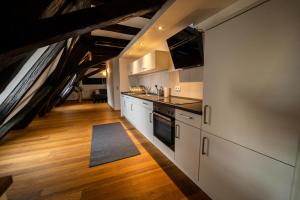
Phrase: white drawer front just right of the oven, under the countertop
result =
(188, 118)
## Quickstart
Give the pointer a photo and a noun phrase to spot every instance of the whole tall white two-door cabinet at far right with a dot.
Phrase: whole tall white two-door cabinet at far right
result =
(250, 130)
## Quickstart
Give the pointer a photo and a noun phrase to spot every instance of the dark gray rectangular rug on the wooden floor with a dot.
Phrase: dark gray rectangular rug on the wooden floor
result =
(110, 142)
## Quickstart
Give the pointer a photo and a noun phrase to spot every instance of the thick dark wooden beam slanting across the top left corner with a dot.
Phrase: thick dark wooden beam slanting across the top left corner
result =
(20, 36)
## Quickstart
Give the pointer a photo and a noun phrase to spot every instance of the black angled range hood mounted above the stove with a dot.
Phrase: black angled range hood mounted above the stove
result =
(186, 48)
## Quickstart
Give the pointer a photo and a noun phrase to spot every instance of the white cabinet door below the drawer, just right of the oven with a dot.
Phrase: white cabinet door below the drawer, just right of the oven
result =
(187, 149)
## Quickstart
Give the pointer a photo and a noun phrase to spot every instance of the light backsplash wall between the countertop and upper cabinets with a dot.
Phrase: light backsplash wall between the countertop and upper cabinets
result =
(189, 80)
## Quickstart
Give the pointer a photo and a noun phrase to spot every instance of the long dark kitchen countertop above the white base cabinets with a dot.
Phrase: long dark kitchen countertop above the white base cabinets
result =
(186, 104)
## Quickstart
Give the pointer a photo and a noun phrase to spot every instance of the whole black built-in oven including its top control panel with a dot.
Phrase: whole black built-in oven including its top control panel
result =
(164, 124)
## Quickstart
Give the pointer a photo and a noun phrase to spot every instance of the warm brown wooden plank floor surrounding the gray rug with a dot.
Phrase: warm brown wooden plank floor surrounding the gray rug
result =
(50, 160)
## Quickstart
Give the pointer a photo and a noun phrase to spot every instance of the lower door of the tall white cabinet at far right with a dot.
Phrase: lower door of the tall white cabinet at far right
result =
(231, 172)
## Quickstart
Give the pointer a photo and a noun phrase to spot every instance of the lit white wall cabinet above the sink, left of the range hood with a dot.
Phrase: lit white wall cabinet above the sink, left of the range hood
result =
(151, 62)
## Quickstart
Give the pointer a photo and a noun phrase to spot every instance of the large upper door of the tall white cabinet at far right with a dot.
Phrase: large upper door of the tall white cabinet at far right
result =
(251, 78)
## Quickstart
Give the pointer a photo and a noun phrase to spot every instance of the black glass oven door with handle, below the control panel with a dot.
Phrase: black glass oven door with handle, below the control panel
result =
(164, 129)
